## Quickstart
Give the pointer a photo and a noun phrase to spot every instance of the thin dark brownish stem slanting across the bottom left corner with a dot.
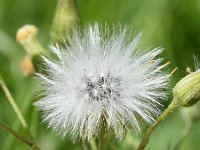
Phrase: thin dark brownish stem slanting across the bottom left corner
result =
(19, 137)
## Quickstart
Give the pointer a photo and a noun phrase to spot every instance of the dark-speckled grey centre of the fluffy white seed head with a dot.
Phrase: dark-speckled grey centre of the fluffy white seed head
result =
(101, 88)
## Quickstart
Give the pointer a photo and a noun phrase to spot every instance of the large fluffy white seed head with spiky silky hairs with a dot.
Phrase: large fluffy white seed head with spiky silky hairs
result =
(101, 80)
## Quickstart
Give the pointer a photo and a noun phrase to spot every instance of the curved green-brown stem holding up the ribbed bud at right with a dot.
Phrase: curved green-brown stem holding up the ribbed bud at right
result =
(162, 117)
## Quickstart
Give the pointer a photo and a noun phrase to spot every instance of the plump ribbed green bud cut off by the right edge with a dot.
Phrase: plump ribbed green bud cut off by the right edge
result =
(187, 90)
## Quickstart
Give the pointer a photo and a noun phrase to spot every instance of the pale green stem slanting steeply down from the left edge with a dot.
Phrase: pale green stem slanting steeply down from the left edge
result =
(13, 103)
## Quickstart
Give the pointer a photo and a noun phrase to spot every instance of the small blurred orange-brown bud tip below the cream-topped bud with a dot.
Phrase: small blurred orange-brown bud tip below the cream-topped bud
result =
(27, 66)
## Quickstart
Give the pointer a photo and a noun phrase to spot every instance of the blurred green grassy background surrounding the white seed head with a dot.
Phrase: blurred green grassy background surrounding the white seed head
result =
(172, 24)
